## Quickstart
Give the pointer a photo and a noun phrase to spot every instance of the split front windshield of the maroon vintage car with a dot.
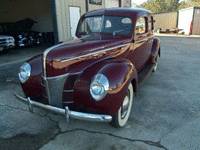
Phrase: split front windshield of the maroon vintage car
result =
(105, 24)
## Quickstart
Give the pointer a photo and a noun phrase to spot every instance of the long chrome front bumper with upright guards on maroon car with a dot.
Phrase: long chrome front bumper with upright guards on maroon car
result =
(66, 112)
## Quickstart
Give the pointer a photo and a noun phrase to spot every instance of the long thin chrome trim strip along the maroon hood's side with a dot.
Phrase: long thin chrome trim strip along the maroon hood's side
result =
(95, 53)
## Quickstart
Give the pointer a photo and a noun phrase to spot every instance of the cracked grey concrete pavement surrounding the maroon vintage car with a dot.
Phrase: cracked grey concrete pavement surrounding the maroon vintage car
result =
(165, 113)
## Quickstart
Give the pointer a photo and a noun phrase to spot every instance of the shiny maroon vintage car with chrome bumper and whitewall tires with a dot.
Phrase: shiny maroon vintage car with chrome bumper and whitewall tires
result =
(94, 76)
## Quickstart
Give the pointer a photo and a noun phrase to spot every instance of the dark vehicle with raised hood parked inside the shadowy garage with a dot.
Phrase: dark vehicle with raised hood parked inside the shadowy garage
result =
(22, 33)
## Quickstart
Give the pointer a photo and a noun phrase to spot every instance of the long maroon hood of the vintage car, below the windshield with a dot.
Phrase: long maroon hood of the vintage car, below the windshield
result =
(65, 57)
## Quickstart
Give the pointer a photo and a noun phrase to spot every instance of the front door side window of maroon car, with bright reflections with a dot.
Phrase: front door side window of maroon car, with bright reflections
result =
(141, 25)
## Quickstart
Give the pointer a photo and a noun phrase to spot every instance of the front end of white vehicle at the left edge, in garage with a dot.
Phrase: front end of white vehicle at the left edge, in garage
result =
(6, 42)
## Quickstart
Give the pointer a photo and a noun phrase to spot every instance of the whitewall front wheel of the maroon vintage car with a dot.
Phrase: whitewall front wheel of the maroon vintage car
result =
(121, 117)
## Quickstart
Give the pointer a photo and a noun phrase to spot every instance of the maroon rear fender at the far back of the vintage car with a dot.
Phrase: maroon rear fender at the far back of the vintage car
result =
(155, 51)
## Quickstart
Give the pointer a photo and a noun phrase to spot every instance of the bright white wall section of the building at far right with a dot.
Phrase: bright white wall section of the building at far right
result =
(185, 19)
